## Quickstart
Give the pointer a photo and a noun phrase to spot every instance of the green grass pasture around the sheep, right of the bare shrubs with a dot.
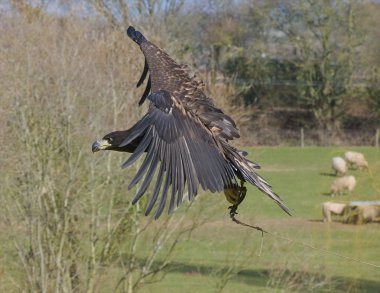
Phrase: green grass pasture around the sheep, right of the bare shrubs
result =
(221, 249)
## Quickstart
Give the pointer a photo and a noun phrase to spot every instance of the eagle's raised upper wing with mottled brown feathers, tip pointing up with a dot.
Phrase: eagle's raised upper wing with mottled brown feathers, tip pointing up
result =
(165, 74)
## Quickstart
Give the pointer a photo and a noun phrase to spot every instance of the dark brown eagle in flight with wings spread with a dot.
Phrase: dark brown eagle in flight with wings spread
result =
(184, 136)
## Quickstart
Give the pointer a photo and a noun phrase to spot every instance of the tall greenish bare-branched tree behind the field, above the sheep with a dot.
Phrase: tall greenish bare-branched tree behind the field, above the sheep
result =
(321, 33)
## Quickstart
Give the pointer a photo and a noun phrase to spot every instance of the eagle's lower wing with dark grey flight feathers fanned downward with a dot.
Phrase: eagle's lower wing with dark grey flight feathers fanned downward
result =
(183, 151)
